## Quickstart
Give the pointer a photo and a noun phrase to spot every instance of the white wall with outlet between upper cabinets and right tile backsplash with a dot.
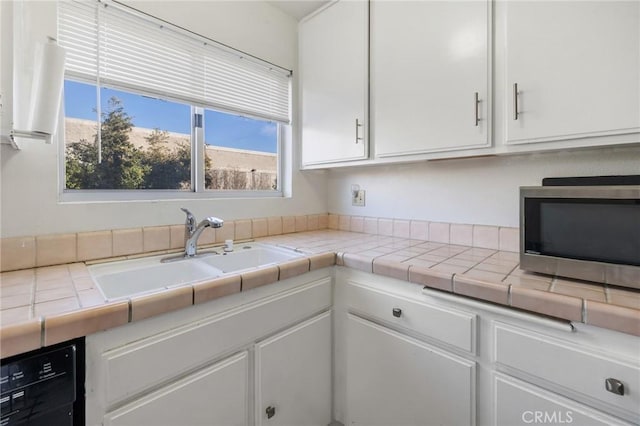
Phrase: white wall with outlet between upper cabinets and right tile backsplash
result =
(475, 191)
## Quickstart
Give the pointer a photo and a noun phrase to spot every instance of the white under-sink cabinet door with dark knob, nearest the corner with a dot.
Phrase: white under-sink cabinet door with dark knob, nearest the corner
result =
(293, 375)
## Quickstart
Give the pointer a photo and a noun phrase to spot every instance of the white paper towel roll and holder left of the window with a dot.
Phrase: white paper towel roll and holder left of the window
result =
(42, 87)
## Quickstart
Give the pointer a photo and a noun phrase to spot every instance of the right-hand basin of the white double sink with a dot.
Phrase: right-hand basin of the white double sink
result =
(247, 256)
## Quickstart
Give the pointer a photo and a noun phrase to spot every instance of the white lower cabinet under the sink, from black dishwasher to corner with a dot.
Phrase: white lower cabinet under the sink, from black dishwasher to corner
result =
(222, 363)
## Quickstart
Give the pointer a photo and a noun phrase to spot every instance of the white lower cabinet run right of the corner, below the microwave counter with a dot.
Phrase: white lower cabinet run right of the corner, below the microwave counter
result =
(408, 356)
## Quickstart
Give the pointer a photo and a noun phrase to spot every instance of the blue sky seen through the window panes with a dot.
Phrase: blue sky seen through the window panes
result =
(220, 129)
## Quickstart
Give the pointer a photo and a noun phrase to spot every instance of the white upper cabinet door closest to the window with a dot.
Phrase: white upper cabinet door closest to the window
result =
(334, 71)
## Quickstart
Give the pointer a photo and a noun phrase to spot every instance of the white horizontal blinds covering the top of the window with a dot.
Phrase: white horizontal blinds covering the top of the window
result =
(119, 47)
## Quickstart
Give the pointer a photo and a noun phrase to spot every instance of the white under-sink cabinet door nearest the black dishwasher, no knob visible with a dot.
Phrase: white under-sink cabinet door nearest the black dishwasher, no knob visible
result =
(216, 395)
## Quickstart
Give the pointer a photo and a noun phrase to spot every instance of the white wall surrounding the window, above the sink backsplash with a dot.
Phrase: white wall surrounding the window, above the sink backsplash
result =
(30, 188)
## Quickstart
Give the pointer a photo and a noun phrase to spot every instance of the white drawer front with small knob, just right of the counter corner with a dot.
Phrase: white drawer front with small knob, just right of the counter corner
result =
(456, 328)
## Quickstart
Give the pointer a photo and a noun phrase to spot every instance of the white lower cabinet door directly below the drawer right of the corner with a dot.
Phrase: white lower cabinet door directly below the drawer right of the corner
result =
(395, 380)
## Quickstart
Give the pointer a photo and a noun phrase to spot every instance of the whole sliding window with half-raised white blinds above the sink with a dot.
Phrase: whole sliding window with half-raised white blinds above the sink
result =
(148, 107)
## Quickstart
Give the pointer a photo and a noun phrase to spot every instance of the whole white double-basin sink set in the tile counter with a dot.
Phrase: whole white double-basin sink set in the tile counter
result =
(132, 277)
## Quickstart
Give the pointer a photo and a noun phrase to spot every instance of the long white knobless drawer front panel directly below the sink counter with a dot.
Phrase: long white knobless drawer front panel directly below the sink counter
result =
(133, 368)
